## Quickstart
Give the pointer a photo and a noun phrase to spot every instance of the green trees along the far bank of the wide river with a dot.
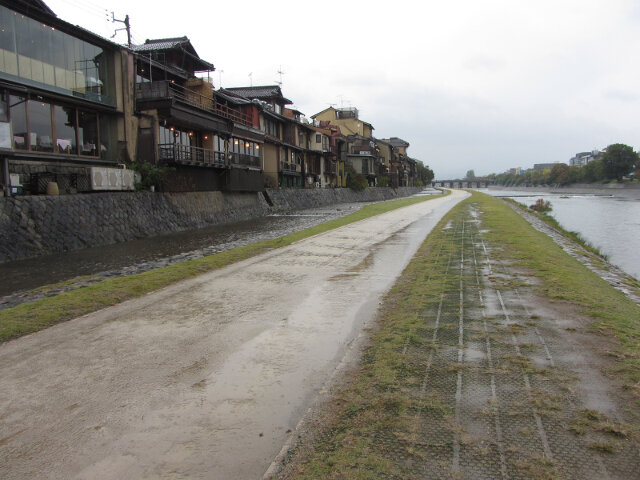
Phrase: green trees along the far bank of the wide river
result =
(613, 166)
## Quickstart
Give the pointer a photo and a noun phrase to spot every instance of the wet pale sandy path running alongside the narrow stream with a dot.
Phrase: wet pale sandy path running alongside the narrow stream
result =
(207, 378)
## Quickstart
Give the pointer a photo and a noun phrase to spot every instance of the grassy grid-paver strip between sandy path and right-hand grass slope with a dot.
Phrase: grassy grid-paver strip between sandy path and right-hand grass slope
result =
(474, 375)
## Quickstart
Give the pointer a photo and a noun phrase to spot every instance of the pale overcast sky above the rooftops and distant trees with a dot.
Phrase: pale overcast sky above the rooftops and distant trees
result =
(470, 84)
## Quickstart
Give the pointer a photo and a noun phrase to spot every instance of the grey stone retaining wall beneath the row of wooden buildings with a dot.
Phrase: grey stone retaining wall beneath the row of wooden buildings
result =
(31, 226)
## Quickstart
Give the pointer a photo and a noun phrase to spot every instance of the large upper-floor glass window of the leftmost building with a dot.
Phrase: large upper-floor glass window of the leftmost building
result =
(39, 53)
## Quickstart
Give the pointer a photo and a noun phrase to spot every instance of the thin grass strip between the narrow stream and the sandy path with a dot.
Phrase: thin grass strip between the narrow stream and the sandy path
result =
(37, 315)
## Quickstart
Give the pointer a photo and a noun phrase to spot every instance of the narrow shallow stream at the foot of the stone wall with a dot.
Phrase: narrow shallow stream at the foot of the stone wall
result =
(21, 277)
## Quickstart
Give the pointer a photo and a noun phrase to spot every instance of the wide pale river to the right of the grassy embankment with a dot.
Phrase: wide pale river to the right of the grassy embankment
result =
(609, 221)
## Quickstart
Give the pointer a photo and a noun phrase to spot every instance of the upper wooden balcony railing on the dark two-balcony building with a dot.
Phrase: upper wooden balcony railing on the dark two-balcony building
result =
(166, 89)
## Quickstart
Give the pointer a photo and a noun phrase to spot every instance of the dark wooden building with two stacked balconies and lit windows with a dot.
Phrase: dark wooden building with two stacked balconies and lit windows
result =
(211, 141)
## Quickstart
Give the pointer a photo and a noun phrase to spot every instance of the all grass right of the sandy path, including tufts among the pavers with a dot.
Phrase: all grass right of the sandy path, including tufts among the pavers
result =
(368, 429)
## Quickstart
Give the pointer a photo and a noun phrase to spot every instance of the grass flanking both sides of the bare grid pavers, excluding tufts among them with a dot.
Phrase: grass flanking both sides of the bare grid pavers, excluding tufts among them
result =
(376, 407)
